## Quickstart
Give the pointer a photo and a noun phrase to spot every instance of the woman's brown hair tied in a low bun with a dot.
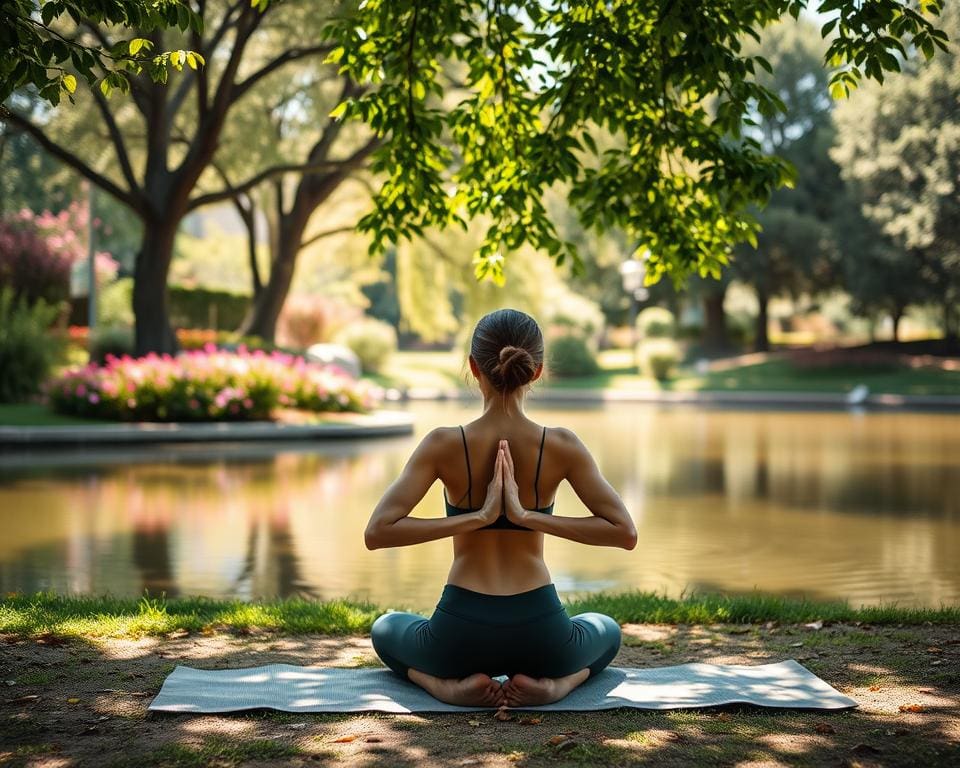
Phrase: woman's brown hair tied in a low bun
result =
(508, 347)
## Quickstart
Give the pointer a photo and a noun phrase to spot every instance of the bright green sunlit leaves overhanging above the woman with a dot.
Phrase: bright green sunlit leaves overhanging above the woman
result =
(542, 77)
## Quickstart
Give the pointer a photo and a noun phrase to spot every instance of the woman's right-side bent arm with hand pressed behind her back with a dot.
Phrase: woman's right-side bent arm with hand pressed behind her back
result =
(610, 524)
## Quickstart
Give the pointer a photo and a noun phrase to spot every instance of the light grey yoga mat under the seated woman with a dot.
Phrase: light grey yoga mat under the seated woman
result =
(329, 689)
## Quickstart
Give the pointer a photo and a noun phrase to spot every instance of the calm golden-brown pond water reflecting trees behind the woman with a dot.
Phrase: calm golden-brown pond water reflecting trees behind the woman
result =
(864, 507)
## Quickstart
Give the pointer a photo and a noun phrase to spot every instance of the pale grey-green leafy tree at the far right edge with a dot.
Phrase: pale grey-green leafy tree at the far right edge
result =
(899, 147)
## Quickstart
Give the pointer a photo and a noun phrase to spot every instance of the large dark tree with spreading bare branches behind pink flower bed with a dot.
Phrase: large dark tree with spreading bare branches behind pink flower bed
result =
(165, 141)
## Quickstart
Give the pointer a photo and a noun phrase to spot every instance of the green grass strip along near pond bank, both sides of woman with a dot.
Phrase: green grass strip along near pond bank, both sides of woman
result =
(114, 617)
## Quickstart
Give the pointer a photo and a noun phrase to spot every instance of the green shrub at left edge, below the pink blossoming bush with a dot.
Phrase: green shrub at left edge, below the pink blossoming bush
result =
(27, 348)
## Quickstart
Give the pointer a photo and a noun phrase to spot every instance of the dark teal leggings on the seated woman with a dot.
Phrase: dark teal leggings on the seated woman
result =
(528, 633)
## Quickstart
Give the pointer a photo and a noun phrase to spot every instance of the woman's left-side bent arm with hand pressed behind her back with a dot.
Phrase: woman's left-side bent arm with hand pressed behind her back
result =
(390, 525)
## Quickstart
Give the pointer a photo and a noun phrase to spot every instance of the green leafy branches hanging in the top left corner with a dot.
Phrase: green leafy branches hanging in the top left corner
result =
(38, 53)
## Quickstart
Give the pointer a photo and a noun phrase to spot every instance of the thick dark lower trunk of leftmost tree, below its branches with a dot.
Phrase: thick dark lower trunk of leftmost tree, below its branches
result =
(150, 306)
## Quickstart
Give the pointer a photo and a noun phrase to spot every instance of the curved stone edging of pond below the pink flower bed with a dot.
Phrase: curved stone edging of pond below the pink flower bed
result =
(377, 424)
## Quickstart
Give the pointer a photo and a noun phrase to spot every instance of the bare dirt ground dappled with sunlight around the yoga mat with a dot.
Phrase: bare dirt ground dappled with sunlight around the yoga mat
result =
(85, 703)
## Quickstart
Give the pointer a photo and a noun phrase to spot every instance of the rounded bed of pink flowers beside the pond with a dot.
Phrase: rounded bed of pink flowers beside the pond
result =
(207, 385)
